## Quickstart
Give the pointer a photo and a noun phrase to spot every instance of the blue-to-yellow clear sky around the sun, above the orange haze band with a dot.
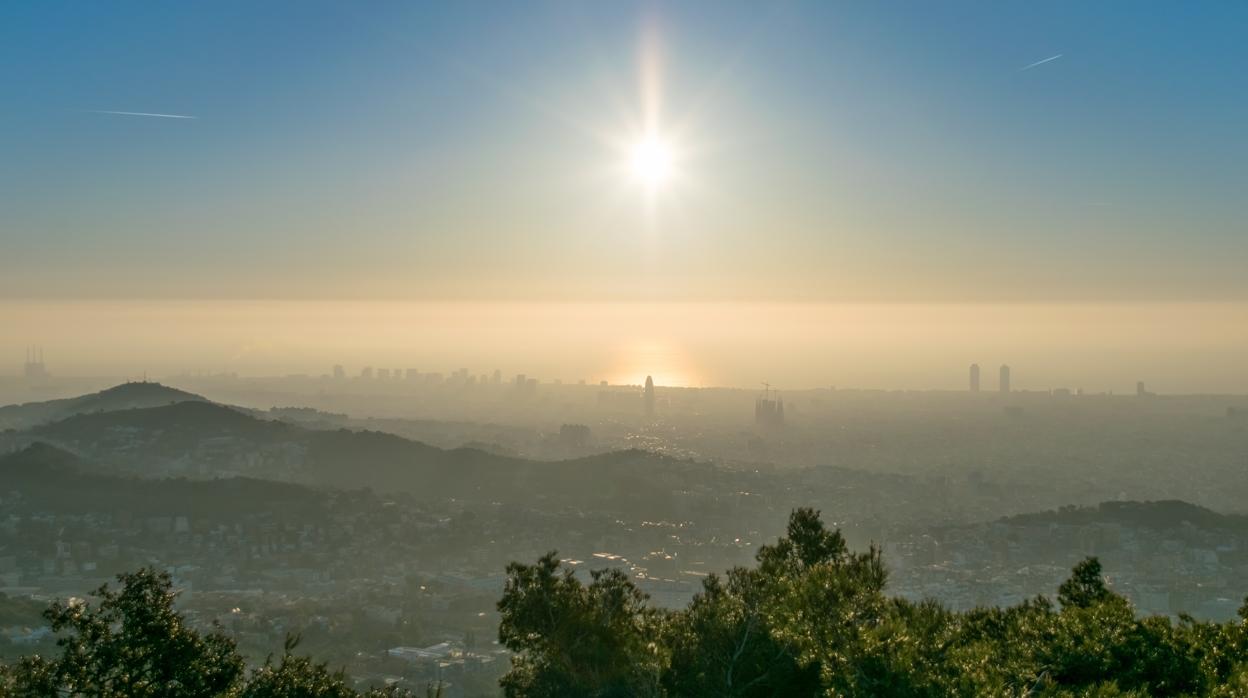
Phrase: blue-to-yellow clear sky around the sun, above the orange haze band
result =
(829, 153)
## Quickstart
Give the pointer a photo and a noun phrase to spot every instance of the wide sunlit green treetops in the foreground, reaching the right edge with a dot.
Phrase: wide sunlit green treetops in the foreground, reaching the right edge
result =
(813, 619)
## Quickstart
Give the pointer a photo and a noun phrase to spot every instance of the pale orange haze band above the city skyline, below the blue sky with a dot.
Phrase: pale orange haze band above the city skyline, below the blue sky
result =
(1177, 349)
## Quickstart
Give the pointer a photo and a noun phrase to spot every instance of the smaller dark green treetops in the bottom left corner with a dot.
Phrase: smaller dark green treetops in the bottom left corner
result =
(133, 644)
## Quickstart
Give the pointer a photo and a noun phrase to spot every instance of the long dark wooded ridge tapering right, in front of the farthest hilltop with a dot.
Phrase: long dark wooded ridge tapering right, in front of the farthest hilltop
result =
(207, 440)
